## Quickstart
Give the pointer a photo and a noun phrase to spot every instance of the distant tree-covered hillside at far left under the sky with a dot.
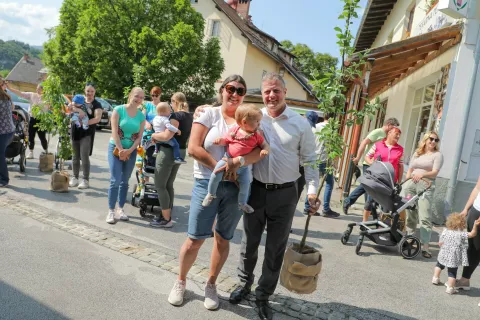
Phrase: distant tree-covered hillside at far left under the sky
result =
(12, 51)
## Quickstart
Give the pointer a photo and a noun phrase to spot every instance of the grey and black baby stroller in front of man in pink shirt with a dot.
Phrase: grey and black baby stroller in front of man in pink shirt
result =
(378, 182)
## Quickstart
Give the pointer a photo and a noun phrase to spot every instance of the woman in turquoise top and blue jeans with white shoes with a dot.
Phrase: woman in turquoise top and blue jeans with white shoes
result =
(128, 123)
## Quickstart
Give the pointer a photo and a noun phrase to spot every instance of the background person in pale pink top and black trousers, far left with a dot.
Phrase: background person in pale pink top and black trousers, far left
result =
(35, 98)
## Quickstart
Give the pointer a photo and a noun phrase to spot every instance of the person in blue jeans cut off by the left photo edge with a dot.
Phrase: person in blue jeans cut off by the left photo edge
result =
(6, 131)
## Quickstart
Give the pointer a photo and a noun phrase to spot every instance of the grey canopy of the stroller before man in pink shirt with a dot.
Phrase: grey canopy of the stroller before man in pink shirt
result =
(378, 181)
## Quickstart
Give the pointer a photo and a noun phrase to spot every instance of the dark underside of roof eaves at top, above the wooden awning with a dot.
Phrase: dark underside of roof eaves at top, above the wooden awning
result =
(376, 13)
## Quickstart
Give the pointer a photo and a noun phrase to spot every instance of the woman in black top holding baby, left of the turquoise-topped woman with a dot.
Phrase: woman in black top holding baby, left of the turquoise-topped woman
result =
(82, 139)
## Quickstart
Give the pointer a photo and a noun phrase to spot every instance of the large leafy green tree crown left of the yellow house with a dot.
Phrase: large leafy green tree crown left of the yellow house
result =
(124, 43)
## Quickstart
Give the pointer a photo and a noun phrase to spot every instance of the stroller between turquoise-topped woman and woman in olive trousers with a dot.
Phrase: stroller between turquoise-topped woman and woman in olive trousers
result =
(144, 193)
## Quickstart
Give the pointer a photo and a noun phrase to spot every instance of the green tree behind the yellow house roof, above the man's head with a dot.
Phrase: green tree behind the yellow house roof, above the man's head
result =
(308, 61)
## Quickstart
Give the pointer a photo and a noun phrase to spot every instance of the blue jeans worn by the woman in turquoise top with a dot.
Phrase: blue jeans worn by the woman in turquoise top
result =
(120, 172)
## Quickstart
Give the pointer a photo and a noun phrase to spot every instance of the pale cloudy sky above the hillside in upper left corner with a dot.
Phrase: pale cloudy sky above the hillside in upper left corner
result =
(26, 22)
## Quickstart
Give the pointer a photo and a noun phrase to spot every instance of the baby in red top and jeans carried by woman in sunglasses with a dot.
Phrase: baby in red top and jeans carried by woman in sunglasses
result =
(240, 140)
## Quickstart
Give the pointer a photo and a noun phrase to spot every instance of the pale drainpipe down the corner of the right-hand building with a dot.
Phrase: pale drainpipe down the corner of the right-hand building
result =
(452, 183)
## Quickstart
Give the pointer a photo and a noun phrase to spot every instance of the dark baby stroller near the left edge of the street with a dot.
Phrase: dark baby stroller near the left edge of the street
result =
(19, 143)
